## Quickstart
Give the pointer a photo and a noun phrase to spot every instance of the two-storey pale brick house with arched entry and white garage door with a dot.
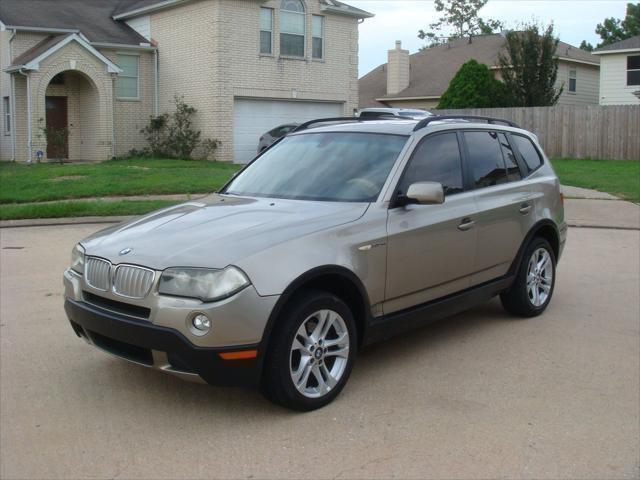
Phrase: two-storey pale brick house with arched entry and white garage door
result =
(103, 68)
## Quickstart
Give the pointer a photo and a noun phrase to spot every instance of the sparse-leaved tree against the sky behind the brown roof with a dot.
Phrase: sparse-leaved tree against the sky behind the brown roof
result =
(459, 19)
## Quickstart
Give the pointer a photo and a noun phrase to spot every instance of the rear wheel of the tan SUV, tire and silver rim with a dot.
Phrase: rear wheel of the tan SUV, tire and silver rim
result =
(533, 287)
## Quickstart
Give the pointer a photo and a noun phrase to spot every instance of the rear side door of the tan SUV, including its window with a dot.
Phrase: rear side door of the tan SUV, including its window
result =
(504, 202)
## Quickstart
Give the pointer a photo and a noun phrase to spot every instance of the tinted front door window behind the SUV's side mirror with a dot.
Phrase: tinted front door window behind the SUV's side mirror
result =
(436, 159)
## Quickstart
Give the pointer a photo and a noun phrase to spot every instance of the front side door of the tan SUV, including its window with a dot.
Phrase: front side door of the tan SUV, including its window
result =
(431, 248)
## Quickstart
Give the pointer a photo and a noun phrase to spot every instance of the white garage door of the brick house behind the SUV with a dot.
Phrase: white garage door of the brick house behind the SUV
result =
(252, 118)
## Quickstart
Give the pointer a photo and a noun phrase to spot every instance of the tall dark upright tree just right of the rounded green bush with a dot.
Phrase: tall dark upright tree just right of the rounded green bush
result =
(529, 66)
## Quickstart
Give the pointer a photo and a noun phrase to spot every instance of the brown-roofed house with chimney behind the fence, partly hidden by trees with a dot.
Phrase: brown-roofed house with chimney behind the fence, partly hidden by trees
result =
(419, 80)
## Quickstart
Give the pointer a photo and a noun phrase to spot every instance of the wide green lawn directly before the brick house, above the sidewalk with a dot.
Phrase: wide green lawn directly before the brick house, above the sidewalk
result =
(20, 183)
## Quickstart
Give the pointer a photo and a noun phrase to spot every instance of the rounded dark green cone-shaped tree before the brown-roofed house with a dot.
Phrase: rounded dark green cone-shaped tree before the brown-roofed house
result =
(475, 87)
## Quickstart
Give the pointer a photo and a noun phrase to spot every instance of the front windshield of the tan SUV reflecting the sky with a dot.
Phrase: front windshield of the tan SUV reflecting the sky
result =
(334, 167)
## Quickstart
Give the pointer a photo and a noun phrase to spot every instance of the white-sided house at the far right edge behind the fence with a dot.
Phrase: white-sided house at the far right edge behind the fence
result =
(620, 72)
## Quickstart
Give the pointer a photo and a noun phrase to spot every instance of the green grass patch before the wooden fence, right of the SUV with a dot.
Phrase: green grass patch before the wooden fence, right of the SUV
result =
(617, 177)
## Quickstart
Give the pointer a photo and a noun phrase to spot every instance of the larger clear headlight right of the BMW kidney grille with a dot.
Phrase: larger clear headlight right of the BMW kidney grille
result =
(205, 284)
